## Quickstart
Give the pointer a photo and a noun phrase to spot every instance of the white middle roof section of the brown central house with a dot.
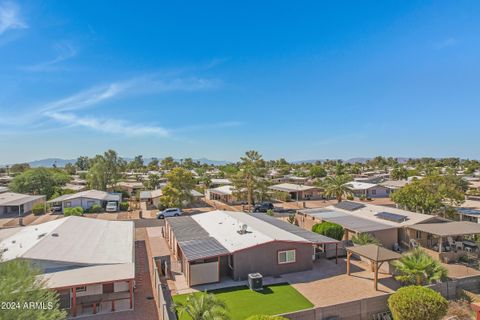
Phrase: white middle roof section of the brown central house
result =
(224, 226)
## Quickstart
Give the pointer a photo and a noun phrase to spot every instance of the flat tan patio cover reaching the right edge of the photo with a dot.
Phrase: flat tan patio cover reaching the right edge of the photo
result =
(454, 228)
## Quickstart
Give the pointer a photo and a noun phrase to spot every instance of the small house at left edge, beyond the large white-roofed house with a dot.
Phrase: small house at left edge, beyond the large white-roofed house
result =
(18, 204)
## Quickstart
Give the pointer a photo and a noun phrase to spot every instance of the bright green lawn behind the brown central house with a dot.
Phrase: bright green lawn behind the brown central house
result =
(243, 302)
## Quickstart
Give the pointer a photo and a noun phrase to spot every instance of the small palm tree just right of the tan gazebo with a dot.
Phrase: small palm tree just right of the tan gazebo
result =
(417, 267)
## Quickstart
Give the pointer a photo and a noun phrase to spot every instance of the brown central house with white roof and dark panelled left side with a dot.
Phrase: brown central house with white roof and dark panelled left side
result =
(230, 245)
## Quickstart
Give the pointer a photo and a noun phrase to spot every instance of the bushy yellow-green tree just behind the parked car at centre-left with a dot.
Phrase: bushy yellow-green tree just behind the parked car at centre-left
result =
(177, 192)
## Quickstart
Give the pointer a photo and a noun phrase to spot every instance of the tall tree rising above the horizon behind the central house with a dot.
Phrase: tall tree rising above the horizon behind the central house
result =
(250, 176)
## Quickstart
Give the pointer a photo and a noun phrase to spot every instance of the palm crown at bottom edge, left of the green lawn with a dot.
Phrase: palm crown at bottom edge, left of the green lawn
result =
(202, 306)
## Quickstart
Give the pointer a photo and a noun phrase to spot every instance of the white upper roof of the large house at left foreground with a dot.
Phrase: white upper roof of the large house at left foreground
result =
(72, 239)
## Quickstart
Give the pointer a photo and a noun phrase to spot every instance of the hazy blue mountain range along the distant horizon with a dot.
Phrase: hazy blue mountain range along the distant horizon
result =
(59, 162)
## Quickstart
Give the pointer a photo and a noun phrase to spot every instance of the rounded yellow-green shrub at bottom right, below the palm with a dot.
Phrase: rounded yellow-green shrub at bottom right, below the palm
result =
(417, 302)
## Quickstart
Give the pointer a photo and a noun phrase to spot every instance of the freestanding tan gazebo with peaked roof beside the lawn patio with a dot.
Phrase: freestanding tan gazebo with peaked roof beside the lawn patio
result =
(377, 256)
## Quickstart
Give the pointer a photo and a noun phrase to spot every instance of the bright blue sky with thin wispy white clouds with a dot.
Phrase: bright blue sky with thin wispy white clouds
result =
(300, 80)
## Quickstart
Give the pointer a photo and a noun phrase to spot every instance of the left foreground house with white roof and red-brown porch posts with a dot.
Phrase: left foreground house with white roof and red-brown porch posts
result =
(89, 262)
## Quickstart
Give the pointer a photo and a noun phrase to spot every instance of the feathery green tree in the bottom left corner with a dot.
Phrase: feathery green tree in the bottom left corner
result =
(19, 284)
